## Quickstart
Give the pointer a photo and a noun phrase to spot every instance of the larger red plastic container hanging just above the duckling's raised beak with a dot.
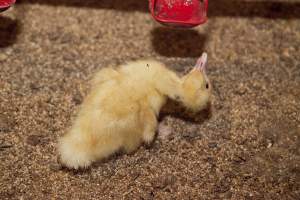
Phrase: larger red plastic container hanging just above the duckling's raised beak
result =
(179, 13)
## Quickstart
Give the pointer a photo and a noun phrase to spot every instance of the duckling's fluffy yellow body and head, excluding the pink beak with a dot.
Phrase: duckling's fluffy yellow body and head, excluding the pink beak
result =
(120, 113)
